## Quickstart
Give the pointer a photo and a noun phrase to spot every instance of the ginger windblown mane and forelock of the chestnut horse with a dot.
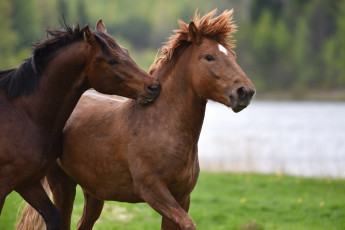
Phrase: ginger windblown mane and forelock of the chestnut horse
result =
(219, 29)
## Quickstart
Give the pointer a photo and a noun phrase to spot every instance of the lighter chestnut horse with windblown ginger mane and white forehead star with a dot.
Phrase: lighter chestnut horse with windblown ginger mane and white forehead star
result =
(123, 151)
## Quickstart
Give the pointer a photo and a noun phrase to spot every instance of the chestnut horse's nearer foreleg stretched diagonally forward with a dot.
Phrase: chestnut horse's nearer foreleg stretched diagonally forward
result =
(161, 200)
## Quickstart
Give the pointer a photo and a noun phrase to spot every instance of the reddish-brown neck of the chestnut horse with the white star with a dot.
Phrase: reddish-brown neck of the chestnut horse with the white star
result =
(178, 98)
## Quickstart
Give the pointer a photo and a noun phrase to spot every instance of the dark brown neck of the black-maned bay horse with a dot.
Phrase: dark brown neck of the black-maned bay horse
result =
(62, 84)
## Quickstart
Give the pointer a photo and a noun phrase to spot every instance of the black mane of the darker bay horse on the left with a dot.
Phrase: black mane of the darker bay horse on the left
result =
(25, 79)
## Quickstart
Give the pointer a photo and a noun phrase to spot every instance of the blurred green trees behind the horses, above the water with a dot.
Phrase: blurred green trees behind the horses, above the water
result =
(281, 44)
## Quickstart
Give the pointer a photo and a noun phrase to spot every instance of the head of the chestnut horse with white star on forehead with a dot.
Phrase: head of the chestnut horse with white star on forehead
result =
(215, 73)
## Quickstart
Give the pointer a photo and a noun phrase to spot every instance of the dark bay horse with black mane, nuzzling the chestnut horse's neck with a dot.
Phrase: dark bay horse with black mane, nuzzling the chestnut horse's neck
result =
(37, 98)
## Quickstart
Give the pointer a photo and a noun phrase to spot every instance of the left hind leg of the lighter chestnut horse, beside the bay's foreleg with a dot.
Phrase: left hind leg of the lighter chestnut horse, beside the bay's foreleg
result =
(63, 189)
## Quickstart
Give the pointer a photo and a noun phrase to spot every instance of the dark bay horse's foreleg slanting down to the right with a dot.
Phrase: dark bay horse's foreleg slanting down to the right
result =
(39, 200)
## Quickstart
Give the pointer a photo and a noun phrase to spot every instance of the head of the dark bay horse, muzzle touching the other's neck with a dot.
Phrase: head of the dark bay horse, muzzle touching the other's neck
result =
(112, 71)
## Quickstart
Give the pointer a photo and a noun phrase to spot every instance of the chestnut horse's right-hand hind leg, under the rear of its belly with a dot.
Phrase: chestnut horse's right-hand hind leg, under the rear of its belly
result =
(92, 210)
